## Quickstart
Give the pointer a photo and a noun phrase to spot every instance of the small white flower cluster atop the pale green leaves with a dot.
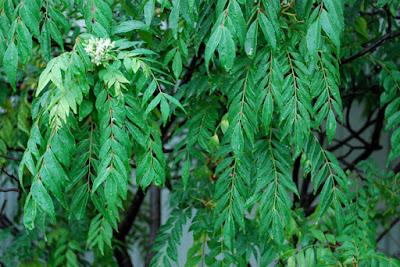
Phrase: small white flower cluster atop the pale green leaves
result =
(98, 49)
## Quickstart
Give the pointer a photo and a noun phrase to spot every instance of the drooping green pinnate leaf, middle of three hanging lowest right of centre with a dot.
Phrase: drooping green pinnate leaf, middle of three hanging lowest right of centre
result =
(274, 182)
